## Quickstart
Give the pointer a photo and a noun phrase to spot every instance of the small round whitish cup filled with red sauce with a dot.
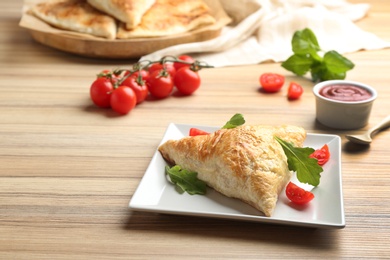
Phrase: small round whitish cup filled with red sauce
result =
(343, 104)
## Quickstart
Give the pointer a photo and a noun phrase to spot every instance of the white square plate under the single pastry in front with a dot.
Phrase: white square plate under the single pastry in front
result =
(326, 210)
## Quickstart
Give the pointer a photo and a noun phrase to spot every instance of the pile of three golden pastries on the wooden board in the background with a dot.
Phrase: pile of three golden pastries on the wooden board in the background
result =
(125, 19)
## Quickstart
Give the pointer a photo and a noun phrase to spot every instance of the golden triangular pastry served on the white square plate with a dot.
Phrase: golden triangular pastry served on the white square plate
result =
(245, 162)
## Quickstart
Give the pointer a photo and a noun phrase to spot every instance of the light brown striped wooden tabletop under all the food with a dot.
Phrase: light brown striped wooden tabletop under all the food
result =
(69, 169)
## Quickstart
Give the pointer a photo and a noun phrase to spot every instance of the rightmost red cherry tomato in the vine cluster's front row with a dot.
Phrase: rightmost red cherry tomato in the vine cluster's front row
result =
(187, 81)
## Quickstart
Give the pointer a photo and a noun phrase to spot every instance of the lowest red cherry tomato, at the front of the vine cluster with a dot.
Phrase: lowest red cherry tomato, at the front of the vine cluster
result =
(123, 99)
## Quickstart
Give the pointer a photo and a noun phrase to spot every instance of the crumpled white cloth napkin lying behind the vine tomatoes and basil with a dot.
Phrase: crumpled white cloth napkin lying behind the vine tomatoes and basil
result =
(263, 29)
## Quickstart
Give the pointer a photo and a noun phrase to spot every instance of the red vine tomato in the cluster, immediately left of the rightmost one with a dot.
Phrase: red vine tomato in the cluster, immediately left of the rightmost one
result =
(160, 85)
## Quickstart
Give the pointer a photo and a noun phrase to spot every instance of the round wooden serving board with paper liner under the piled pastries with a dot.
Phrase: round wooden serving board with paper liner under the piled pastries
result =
(90, 46)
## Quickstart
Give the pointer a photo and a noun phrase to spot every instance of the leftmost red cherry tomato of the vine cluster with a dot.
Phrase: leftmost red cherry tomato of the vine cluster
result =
(100, 91)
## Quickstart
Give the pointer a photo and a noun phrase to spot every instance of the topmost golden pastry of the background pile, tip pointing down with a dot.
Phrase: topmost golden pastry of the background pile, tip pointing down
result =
(128, 11)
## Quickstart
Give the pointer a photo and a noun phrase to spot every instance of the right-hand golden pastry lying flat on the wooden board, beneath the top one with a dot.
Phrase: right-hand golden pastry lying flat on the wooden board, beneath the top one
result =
(167, 17)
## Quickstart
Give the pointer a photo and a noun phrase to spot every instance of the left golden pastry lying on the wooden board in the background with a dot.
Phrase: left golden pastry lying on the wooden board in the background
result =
(76, 15)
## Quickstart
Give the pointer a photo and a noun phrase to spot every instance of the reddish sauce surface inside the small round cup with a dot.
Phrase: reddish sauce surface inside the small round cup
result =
(345, 92)
